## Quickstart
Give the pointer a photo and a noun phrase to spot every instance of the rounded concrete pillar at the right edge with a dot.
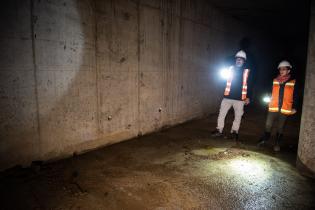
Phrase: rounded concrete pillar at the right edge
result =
(306, 151)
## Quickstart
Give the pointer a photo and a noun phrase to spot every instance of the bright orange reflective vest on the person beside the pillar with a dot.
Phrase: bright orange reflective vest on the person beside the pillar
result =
(287, 101)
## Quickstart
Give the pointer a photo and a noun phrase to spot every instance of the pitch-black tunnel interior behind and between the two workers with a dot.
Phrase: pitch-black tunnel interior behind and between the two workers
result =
(286, 23)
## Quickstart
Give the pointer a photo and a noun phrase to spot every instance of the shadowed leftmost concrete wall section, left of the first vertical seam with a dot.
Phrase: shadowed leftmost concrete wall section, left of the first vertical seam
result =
(18, 134)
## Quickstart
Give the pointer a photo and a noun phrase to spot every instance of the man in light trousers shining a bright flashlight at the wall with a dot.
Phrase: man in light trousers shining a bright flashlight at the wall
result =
(235, 95)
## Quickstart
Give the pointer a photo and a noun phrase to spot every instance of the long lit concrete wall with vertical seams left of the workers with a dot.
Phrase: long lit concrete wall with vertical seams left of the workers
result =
(76, 75)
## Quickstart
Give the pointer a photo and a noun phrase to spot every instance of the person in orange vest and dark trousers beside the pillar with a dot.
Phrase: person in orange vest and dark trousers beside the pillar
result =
(282, 103)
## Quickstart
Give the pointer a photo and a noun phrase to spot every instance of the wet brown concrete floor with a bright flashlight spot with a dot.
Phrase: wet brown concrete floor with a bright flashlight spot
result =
(178, 168)
